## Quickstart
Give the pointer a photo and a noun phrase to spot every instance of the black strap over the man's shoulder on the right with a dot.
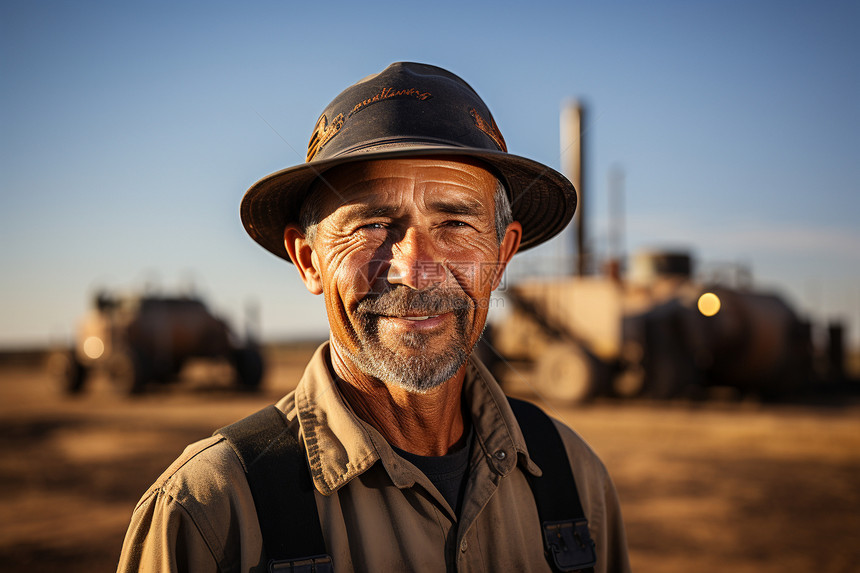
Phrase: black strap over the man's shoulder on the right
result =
(567, 543)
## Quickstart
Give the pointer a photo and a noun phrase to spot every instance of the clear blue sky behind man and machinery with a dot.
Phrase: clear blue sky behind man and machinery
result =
(128, 134)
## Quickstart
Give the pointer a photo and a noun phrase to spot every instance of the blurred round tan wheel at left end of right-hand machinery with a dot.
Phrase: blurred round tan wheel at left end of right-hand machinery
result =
(566, 373)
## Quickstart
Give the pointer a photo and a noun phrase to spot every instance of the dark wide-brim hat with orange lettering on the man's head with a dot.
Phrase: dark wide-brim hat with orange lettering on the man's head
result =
(409, 110)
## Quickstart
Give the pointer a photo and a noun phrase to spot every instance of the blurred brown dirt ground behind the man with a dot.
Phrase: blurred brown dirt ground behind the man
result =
(704, 487)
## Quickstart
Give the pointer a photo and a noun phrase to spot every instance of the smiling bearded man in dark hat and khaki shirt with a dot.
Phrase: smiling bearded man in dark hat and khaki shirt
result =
(403, 217)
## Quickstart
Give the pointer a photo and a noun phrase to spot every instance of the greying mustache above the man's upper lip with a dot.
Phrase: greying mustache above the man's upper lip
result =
(402, 300)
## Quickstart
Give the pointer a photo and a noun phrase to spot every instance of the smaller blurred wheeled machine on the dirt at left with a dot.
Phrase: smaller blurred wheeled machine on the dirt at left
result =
(142, 339)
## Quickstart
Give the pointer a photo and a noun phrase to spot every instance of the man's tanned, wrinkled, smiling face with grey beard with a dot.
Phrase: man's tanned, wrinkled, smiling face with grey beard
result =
(406, 255)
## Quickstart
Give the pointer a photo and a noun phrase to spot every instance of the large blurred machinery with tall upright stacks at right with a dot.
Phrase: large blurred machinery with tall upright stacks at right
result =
(654, 331)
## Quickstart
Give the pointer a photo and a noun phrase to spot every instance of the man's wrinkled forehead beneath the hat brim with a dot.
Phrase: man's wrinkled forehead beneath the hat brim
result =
(406, 182)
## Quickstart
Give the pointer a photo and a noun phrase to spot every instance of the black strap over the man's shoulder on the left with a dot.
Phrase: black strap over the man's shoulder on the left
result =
(276, 467)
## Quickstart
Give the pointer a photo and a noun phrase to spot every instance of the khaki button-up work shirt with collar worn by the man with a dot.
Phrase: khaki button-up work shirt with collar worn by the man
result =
(379, 513)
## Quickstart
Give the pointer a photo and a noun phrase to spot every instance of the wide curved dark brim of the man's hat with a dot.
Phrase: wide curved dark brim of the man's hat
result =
(542, 199)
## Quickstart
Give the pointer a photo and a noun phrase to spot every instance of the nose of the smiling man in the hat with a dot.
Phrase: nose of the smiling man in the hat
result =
(414, 262)
